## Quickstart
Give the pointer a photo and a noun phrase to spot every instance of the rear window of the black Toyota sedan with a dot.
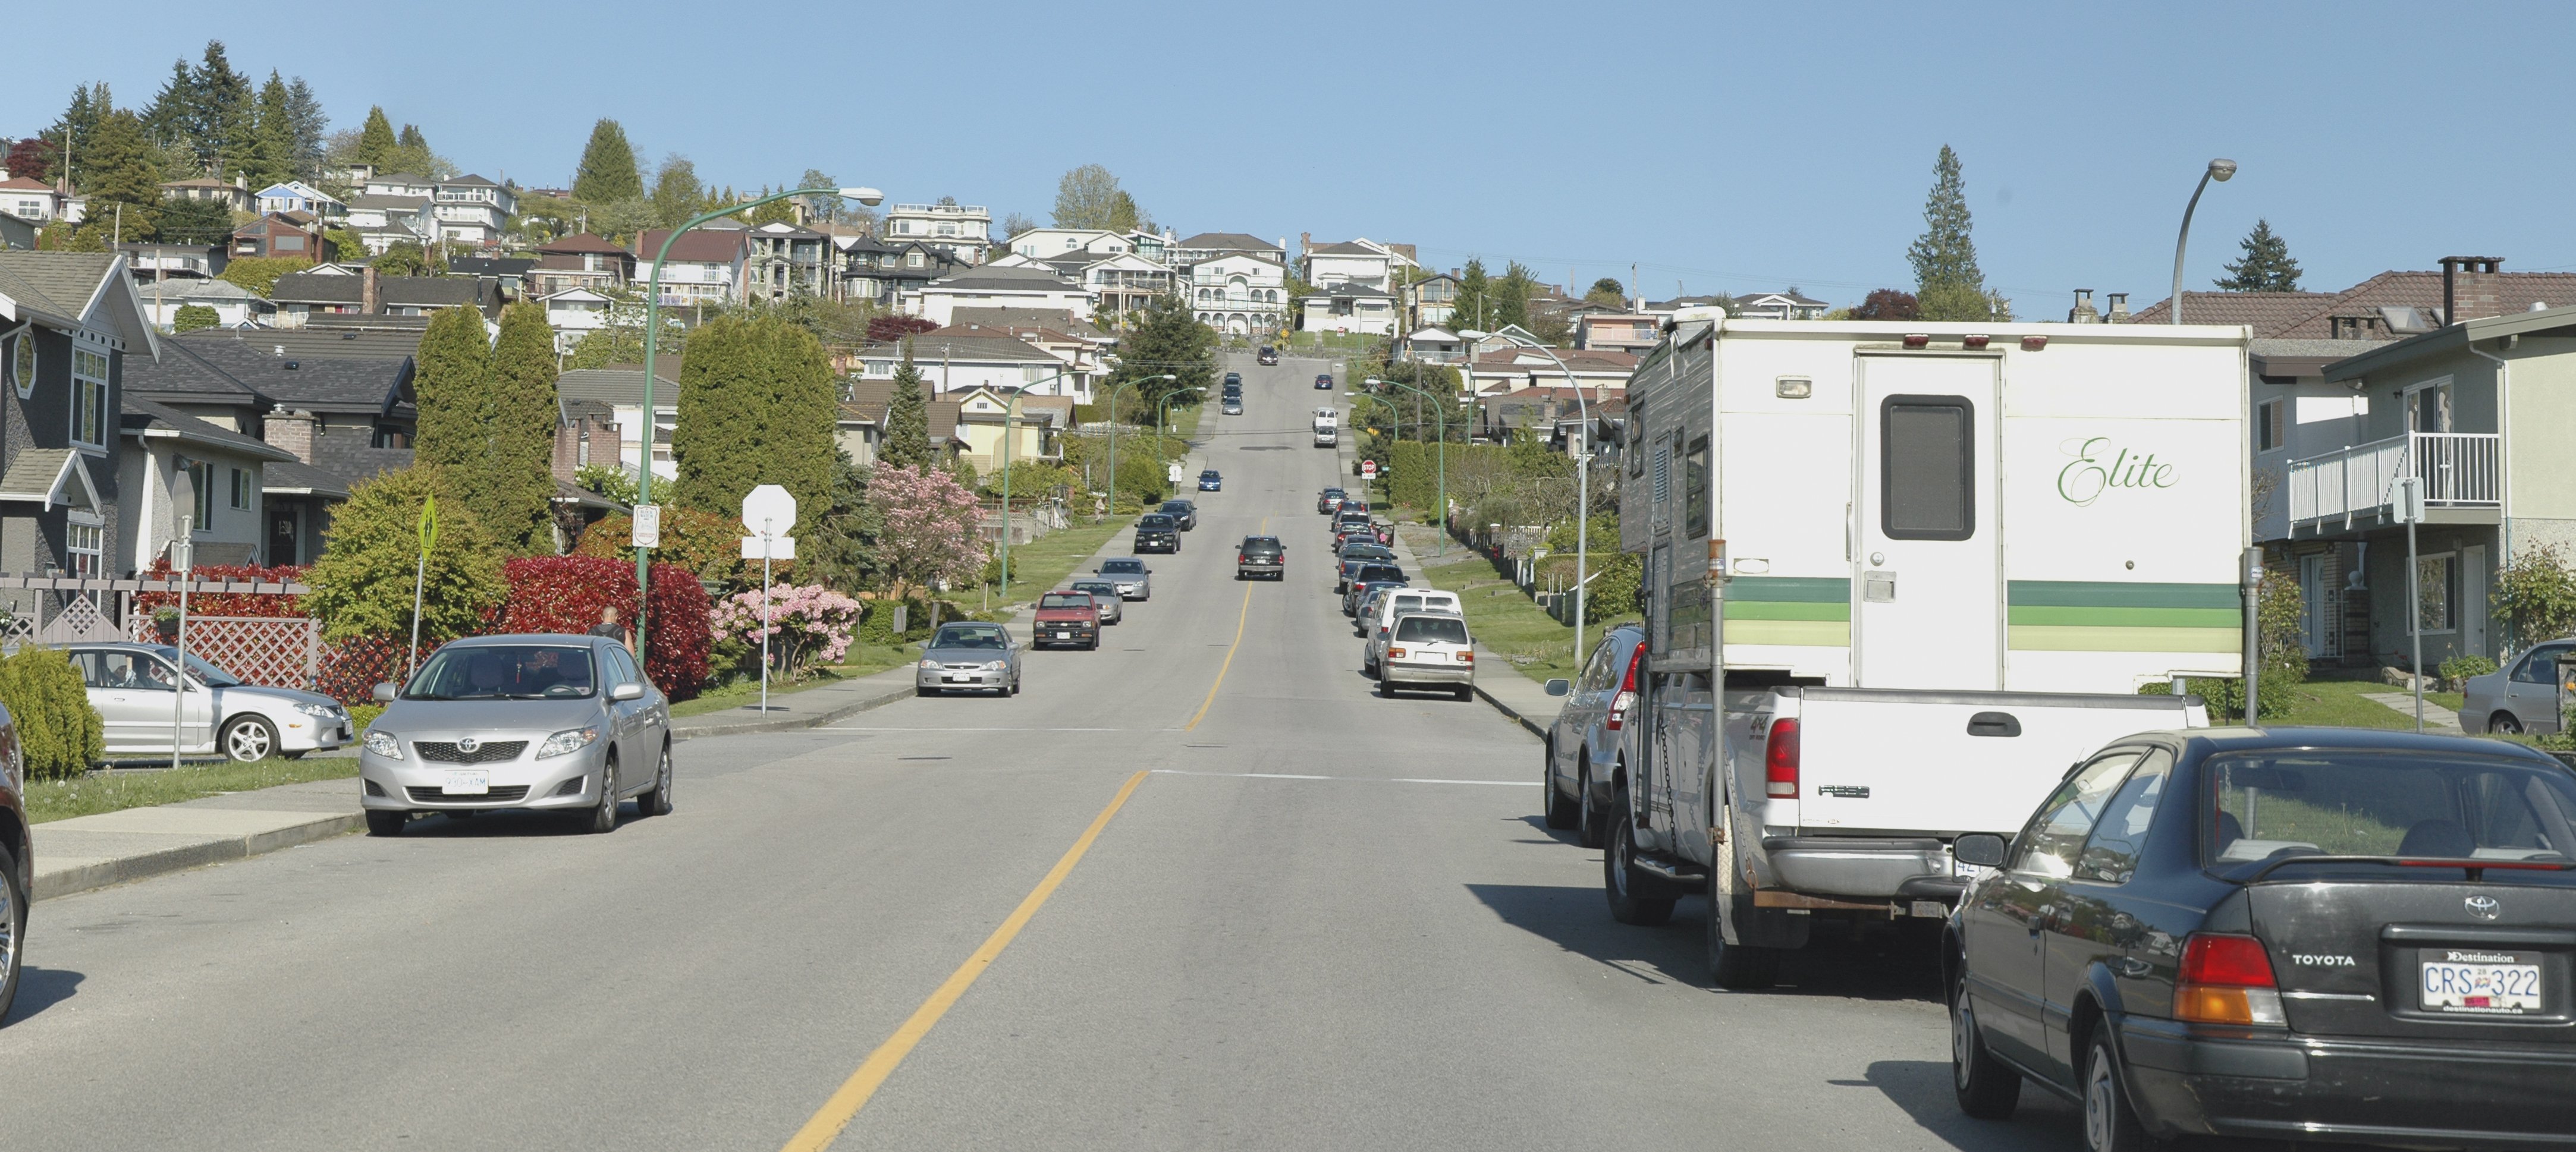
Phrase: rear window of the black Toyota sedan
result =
(2309, 803)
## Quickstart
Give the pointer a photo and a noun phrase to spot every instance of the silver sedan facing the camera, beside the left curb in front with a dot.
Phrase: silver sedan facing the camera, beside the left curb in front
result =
(519, 723)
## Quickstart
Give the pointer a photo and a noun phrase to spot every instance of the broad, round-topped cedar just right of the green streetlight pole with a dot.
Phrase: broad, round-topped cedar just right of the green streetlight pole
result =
(756, 408)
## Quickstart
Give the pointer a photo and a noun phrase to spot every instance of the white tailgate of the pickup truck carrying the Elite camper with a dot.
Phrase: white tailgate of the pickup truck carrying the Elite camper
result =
(1938, 762)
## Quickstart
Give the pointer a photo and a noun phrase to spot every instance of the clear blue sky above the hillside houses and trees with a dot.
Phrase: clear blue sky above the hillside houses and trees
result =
(1717, 146)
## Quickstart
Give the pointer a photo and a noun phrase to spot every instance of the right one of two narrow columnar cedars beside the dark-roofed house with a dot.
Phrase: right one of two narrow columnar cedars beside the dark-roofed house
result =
(516, 496)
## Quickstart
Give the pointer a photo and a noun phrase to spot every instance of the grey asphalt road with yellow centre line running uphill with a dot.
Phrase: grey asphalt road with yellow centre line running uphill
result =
(1323, 921)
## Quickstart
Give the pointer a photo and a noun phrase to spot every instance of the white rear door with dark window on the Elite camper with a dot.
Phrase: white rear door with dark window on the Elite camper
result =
(1928, 571)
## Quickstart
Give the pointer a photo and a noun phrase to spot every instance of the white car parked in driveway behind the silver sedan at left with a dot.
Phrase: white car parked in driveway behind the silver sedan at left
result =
(220, 713)
